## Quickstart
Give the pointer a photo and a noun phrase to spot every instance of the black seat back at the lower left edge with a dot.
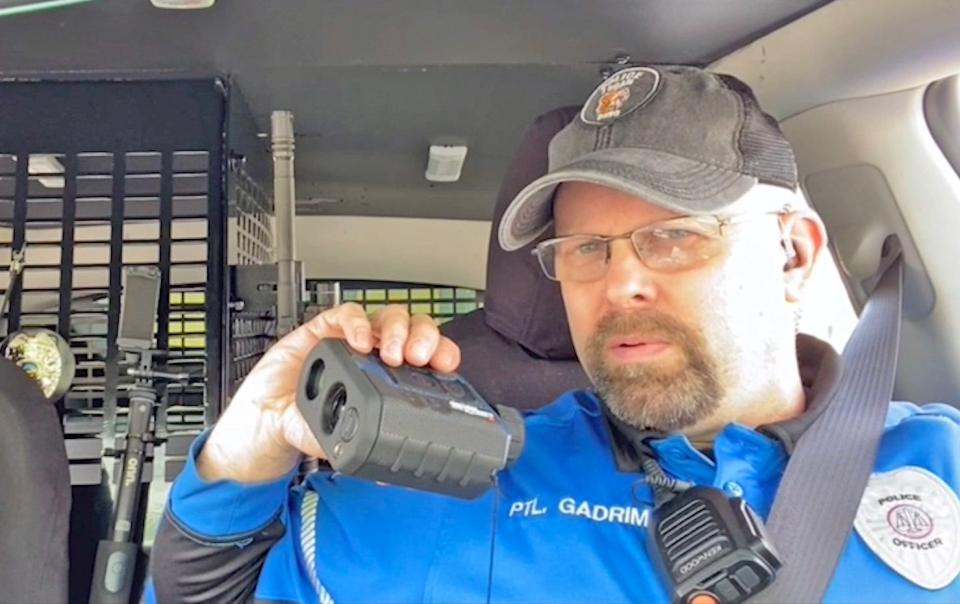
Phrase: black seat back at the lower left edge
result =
(34, 493)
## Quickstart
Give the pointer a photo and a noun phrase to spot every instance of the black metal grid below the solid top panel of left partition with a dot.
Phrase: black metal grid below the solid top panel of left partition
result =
(83, 218)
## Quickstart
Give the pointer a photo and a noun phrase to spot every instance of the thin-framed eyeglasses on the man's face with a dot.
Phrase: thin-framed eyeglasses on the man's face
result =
(669, 245)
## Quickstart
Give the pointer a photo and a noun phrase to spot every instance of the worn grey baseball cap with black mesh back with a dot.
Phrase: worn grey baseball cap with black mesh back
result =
(683, 138)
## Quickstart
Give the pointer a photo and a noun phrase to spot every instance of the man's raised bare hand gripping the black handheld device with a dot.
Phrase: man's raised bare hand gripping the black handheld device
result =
(261, 435)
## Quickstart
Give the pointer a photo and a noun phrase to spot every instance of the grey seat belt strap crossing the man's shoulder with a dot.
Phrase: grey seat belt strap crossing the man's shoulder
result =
(822, 486)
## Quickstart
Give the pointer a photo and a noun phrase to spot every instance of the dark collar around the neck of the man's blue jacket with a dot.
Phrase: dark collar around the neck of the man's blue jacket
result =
(820, 370)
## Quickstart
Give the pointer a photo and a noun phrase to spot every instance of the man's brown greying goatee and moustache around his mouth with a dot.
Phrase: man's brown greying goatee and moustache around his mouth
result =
(664, 394)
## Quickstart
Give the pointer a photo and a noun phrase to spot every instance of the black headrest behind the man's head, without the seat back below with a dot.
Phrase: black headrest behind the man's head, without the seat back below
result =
(520, 303)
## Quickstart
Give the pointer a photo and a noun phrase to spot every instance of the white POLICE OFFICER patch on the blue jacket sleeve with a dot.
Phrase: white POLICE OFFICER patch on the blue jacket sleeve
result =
(910, 518)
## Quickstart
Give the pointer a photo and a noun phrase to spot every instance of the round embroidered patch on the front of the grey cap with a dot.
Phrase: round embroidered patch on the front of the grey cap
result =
(623, 92)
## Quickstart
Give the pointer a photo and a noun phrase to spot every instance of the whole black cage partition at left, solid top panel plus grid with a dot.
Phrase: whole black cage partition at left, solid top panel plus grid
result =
(95, 176)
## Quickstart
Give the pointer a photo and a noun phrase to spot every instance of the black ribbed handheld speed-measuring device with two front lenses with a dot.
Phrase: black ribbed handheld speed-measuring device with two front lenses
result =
(405, 425)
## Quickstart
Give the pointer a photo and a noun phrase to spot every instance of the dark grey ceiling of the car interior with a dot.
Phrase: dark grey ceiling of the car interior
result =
(373, 83)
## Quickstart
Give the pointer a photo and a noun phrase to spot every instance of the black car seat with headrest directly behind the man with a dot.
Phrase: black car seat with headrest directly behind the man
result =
(517, 350)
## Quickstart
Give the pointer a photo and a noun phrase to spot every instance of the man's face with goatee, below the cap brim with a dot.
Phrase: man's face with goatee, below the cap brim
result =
(666, 349)
